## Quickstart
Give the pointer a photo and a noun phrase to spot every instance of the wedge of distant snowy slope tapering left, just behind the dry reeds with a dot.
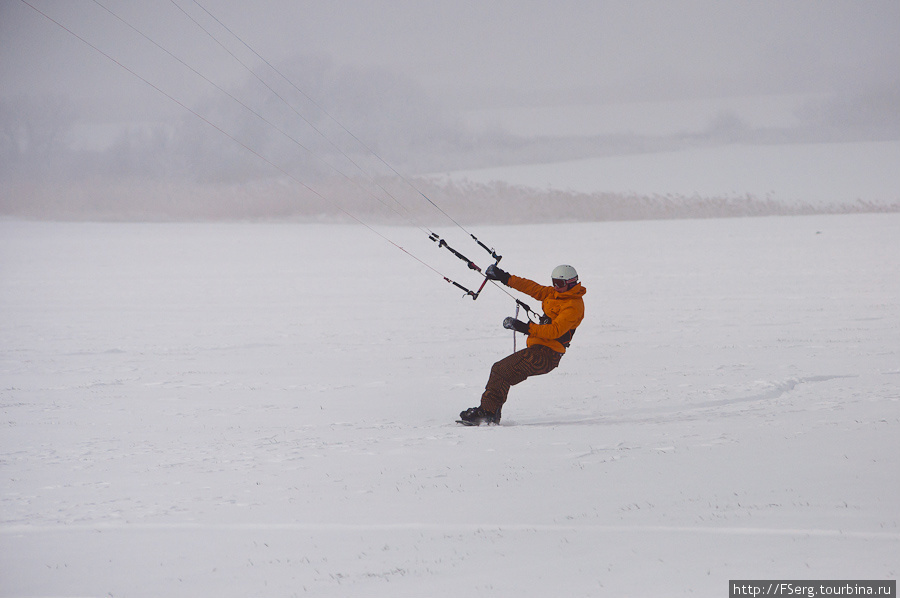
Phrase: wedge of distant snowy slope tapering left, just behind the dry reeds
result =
(816, 173)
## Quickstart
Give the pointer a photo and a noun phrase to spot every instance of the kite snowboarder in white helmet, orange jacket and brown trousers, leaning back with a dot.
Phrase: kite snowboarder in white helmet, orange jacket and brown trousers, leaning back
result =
(547, 341)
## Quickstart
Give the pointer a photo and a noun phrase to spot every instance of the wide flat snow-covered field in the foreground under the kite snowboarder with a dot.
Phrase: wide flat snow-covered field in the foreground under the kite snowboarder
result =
(267, 410)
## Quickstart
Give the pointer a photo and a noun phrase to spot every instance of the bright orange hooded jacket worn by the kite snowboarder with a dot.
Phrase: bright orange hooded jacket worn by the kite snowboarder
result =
(565, 310)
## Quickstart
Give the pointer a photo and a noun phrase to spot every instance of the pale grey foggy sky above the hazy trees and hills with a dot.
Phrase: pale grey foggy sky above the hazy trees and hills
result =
(476, 53)
